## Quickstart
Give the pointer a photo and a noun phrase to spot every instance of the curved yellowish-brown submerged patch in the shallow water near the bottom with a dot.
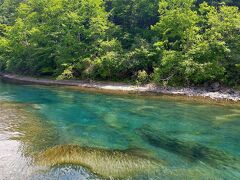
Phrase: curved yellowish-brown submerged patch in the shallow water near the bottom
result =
(106, 163)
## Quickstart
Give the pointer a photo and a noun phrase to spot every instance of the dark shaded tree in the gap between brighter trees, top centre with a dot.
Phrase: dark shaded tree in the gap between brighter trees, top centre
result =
(134, 17)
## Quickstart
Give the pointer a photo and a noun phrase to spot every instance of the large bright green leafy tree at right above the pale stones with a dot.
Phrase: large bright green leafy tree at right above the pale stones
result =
(196, 45)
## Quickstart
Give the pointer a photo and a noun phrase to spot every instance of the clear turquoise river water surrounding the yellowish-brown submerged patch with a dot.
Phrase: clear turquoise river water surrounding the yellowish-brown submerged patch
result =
(192, 140)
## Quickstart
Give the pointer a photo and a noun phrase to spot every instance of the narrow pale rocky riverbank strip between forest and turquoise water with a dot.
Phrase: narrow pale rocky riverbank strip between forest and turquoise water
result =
(220, 94)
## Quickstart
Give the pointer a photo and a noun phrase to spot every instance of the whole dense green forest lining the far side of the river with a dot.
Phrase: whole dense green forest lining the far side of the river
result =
(169, 42)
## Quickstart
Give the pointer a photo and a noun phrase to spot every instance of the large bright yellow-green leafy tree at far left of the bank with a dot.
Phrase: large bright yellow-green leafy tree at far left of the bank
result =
(50, 35)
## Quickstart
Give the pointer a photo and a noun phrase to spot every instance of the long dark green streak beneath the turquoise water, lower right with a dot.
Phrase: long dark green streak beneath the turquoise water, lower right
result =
(189, 150)
